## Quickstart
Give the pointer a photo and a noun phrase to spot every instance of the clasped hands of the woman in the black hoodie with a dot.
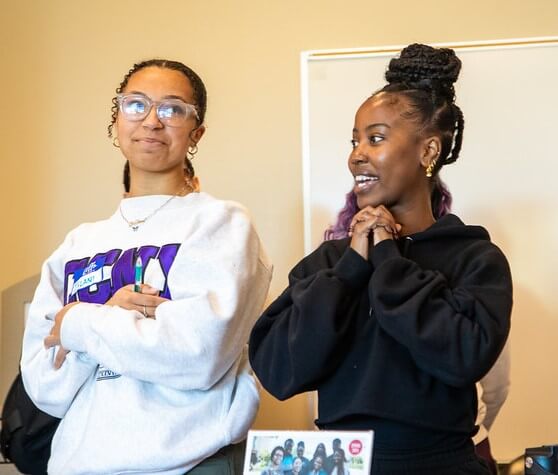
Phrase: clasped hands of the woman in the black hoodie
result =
(376, 220)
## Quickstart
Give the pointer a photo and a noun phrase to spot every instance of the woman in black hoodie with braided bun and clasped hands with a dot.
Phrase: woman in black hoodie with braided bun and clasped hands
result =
(394, 325)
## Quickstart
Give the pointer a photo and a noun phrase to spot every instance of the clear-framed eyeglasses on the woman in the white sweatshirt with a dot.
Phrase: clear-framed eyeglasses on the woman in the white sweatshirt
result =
(171, 112)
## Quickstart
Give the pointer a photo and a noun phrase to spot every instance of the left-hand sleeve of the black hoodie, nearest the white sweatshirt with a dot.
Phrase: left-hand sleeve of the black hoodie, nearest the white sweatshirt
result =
(297, 340)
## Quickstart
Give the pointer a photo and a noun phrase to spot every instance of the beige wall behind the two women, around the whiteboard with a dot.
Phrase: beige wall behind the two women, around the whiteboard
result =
(61, 61)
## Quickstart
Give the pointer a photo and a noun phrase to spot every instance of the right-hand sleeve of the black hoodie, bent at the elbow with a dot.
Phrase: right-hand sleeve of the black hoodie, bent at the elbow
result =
(454, 330)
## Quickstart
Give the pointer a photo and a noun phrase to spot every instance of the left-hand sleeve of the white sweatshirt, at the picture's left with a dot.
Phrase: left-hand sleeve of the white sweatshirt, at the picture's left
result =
(51, 390)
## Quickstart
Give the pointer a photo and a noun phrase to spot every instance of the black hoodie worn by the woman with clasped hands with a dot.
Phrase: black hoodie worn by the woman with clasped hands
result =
(399, 339)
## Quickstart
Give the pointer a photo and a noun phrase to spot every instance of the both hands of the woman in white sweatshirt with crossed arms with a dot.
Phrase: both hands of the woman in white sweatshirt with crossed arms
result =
(144, 302)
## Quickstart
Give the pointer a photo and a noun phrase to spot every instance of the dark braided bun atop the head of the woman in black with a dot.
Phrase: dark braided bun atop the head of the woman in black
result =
(424, 67)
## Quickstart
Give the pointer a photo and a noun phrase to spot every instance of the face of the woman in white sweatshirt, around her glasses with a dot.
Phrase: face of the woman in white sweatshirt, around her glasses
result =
(148, 144)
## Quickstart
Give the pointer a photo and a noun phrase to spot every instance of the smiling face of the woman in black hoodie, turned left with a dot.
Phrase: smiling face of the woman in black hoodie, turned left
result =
(389, 155)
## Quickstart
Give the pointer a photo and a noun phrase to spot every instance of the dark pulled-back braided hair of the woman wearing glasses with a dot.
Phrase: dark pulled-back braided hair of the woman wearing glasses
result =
(200, 102)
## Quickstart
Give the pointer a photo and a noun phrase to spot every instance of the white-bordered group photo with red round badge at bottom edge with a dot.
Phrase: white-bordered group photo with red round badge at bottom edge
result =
(308, 452)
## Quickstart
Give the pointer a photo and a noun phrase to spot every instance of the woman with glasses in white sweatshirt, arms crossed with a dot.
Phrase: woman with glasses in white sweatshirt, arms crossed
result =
(137, 332)
